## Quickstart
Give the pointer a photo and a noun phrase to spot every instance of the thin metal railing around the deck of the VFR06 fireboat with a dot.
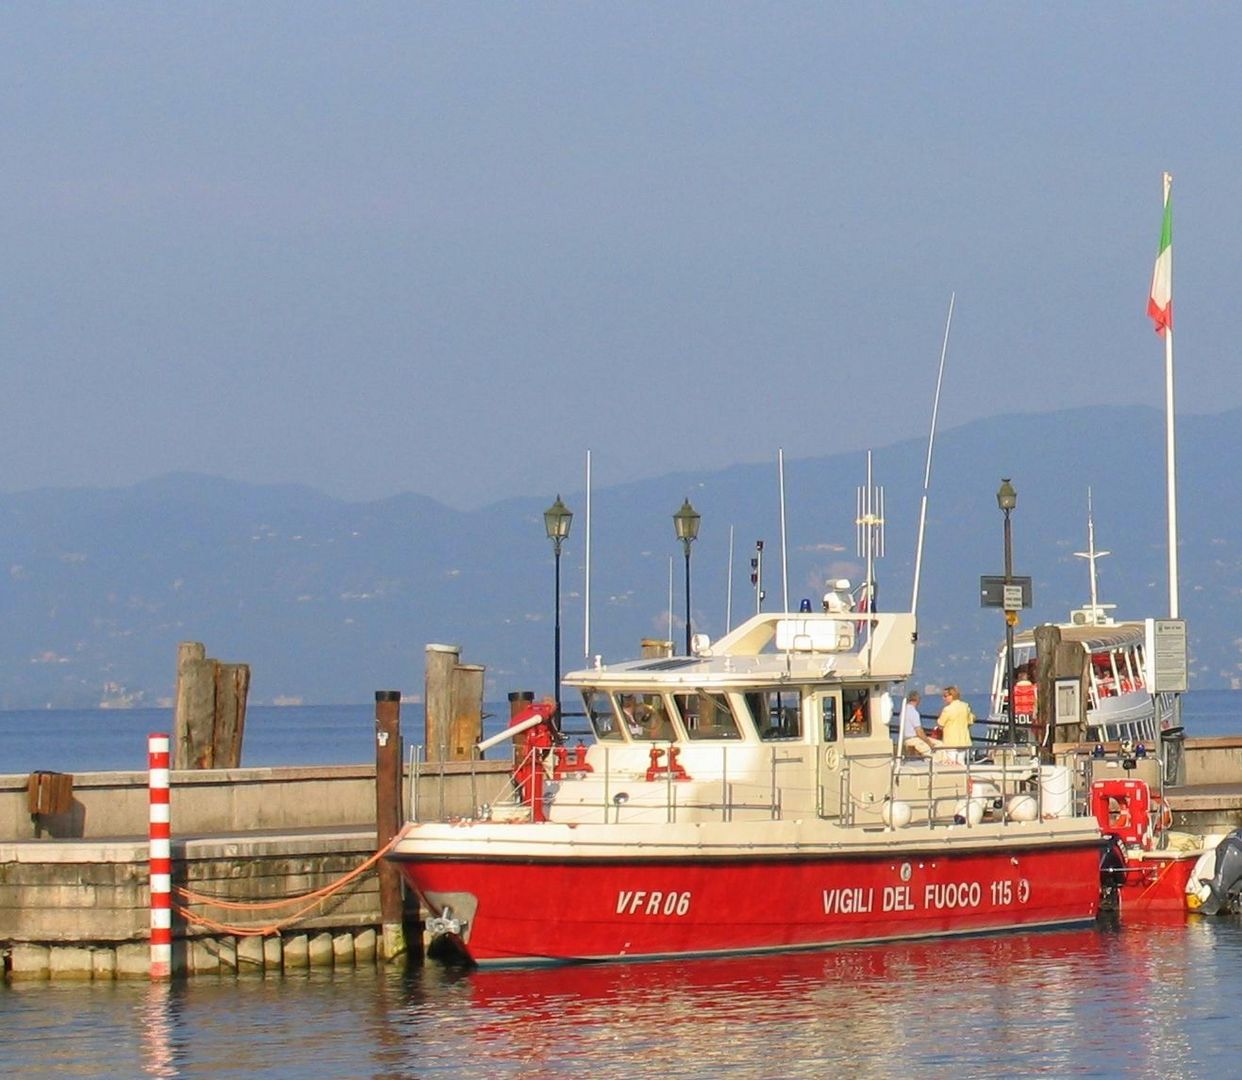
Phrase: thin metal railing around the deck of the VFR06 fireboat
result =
(750, 783)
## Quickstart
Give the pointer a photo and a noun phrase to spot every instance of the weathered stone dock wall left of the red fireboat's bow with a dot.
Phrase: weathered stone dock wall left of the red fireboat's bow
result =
(75, 891)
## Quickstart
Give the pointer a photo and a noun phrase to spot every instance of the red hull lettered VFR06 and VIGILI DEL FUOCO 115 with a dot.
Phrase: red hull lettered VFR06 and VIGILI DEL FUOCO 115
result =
(557, 911)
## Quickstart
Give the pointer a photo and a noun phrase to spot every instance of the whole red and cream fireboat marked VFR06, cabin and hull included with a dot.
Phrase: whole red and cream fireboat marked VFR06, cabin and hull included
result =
(748, 799)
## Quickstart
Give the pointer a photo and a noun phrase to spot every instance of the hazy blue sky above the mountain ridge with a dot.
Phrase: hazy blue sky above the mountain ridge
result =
(446, 249)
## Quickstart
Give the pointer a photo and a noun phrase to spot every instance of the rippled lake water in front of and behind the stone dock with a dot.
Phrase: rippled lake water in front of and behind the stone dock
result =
(1152, 1000)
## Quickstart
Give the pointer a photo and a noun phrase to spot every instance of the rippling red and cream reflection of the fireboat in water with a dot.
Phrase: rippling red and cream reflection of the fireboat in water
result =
(1056, 1002)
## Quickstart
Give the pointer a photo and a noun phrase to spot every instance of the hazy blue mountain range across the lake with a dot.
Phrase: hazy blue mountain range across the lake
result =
(330, 601)
